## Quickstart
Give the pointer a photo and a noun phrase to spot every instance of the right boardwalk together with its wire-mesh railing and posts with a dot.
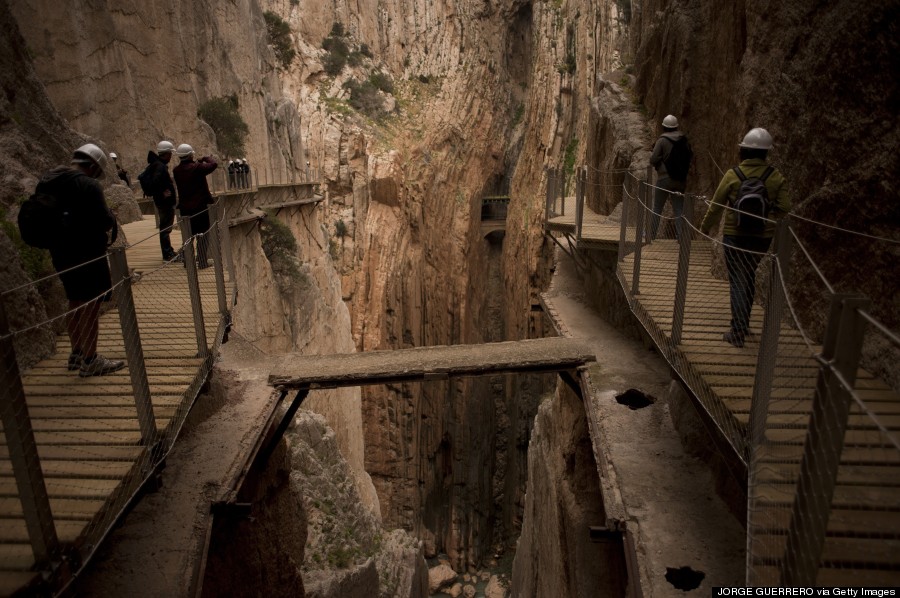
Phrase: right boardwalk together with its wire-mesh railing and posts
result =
(817, 431)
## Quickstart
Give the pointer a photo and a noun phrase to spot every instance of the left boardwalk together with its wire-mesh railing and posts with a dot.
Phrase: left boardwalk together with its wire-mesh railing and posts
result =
(80, 439)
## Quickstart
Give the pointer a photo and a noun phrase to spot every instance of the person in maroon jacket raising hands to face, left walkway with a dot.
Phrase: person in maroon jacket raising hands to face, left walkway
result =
(194, 195)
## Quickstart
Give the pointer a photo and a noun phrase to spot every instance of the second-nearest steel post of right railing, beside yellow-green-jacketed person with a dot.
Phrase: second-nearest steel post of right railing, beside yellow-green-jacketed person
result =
(779, 267)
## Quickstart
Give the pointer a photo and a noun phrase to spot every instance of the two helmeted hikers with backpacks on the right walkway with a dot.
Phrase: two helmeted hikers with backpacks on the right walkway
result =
(756, 196)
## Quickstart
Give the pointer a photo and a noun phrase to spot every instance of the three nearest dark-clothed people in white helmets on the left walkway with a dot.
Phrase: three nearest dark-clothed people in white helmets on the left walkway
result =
(68, 215)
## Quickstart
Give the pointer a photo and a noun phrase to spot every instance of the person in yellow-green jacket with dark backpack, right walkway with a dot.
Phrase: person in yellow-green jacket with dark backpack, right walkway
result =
(760, 193)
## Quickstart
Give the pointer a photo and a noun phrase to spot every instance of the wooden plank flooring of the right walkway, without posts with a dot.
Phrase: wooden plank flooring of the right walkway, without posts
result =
(862, 545)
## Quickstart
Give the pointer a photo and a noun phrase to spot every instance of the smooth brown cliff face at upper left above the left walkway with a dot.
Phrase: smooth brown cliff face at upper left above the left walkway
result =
(134, 72)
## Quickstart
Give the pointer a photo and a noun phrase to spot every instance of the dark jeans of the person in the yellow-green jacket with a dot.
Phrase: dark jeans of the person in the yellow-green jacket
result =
(742, 257)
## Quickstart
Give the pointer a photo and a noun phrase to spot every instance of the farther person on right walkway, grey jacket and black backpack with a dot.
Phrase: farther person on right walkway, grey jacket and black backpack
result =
(671, 158)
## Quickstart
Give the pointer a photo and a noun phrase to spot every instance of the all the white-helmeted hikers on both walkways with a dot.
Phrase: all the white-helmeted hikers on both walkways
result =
(754, 191)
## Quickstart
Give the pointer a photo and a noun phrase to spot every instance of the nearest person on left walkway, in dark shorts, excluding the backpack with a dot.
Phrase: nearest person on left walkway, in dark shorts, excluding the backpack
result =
(79, 254)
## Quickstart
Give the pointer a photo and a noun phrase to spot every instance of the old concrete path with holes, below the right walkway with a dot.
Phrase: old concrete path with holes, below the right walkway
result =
(670, 504)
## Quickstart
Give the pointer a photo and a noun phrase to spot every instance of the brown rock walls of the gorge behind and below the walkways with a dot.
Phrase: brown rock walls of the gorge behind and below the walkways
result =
(407, 114)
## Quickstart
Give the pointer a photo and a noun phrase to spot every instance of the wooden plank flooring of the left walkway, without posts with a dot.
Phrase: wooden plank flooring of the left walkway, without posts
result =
(86, 429)
